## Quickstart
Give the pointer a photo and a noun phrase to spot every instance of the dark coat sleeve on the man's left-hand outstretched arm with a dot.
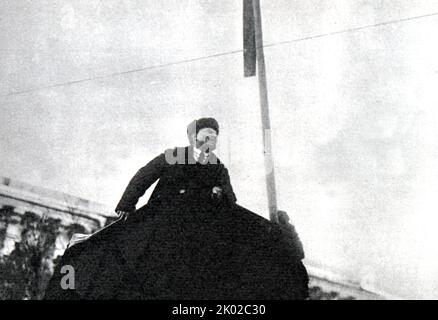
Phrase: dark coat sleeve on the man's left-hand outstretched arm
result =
(141, 181)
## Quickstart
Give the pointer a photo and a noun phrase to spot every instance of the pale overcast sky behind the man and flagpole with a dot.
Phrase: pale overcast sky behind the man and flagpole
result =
(90, 91)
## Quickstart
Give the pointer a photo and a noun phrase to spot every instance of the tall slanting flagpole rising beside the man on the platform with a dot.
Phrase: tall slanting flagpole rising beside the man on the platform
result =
(264, 105)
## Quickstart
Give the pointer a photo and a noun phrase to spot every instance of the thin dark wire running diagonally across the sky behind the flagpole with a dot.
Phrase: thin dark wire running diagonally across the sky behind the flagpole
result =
(356, 29)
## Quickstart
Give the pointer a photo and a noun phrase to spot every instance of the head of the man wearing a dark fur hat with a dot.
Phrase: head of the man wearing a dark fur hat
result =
(202, 133)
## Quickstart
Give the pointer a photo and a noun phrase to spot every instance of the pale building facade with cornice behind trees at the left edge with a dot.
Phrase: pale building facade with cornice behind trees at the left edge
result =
(70, 214)
